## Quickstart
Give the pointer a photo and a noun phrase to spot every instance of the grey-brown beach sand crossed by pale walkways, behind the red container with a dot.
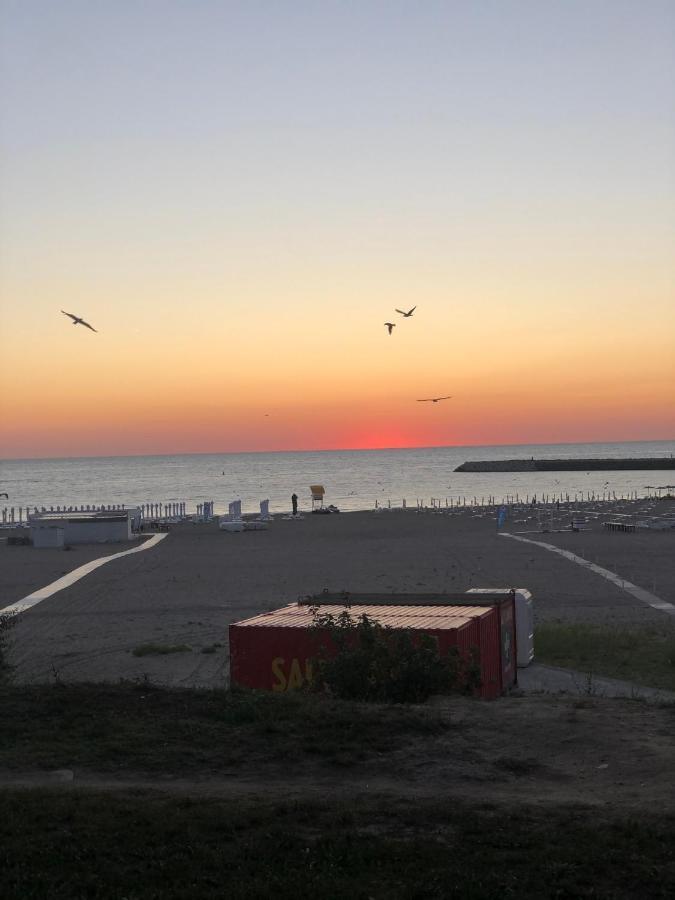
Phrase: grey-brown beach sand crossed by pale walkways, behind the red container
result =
(186, 590)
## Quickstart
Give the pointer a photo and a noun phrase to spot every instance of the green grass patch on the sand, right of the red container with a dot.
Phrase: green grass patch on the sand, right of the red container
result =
(643, 654)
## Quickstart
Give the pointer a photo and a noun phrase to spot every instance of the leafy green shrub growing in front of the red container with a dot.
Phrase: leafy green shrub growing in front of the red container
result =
(376, 663)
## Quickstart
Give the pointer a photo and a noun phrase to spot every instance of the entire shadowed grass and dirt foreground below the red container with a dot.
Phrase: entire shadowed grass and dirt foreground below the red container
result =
(130, 791)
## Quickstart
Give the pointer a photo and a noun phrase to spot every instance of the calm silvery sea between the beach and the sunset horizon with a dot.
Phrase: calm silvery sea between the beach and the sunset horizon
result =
(353, 479)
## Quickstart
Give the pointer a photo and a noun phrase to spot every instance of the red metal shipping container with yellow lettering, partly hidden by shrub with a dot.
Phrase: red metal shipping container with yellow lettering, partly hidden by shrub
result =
(274, 651)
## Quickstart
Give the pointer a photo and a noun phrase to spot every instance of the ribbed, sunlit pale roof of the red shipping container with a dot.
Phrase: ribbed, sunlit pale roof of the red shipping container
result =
(414, 617)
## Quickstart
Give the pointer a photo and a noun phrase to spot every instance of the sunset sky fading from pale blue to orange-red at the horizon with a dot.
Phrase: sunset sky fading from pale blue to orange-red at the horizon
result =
(238, 195)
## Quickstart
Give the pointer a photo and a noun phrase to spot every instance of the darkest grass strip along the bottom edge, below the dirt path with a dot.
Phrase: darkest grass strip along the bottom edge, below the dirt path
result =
(71, 845)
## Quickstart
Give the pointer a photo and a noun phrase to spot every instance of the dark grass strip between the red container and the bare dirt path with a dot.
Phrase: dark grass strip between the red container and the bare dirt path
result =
(144, 729)
